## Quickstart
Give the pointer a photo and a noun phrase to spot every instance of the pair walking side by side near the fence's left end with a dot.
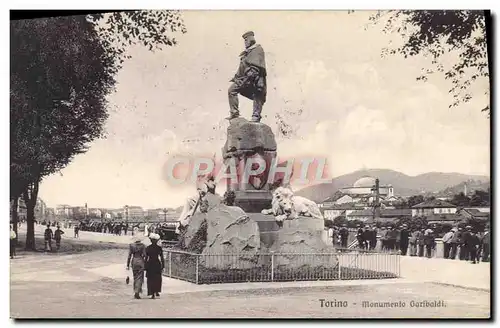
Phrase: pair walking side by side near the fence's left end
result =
(146, 260)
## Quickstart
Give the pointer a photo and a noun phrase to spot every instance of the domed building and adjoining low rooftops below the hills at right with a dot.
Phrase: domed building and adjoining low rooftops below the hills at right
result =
(362, 202)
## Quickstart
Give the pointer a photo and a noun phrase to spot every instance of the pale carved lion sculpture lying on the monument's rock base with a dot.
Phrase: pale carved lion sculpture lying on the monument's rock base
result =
(285, 205)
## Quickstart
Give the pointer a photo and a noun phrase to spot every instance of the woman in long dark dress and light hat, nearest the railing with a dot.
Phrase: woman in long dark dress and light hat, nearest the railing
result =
(154, 266)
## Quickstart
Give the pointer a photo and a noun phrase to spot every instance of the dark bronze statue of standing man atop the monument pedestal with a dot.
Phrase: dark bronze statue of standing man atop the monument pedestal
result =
(250, 79)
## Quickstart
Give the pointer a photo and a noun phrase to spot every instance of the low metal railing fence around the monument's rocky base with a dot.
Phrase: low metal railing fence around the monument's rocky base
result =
(265, 267)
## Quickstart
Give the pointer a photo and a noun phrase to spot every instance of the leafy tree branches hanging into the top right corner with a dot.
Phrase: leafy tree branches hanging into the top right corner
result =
(434, 33)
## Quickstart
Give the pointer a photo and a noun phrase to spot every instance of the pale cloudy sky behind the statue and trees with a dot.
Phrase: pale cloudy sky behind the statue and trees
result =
(326, 76)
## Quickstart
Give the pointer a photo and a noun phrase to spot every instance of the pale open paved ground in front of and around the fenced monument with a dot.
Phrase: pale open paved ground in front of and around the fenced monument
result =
(92, 285)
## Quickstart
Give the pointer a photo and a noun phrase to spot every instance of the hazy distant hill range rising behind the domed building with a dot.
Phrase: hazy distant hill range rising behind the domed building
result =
(404, 185)
